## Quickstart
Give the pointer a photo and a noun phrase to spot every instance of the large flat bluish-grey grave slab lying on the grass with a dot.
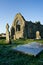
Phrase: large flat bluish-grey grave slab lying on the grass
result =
(33, 48)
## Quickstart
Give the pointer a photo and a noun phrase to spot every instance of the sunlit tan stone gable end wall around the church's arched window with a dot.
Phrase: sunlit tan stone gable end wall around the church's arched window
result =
(18, 34)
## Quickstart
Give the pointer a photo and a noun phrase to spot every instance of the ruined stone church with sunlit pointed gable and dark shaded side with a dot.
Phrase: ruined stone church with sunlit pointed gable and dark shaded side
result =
(24, 29)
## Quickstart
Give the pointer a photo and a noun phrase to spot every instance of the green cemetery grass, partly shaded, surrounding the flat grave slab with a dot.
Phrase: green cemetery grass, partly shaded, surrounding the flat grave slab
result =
(11, 57)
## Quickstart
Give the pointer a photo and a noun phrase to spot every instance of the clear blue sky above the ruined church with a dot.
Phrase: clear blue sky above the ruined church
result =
(30, 9)
